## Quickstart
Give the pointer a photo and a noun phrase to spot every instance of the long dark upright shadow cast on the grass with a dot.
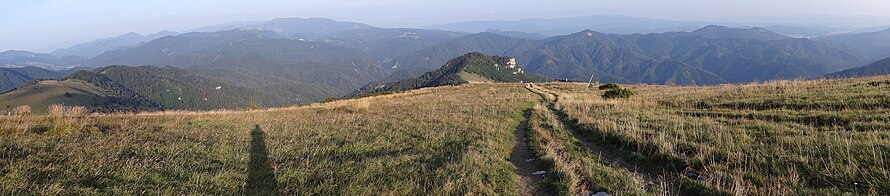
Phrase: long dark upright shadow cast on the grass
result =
(260, 176)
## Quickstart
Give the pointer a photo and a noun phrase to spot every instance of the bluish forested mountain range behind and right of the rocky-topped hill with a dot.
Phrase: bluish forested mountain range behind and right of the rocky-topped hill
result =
(707, 56)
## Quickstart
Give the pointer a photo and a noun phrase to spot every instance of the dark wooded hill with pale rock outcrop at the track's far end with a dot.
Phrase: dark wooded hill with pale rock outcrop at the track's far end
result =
(472, 67)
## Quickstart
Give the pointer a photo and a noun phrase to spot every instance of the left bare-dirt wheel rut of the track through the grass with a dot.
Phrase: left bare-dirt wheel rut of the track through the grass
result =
(525, 162)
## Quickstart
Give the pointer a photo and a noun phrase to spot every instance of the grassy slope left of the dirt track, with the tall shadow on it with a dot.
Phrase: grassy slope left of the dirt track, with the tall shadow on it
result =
(425, 141)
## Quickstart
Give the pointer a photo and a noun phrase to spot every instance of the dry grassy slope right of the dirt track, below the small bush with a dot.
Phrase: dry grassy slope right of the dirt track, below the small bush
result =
(818, 137)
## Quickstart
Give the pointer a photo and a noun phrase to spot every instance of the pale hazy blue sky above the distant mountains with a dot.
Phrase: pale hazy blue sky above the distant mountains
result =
(45, 24)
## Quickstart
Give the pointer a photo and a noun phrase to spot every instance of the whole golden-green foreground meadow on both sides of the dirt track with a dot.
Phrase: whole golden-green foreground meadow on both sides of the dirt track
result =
(821, 137)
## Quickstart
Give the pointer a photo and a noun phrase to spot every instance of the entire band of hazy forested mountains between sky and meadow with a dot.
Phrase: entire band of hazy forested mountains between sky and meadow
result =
(301, 60)
